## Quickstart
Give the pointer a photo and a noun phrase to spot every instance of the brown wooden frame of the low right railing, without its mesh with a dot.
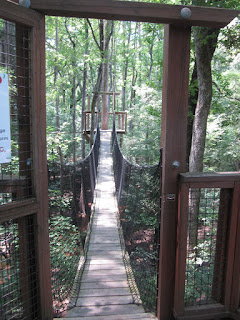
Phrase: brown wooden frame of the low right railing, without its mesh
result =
(230, 204)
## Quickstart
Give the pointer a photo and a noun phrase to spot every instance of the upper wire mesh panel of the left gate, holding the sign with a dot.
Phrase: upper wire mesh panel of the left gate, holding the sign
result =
(15, 154)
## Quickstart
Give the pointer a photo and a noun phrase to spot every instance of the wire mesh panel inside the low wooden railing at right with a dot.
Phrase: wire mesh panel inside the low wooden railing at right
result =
(206, 259)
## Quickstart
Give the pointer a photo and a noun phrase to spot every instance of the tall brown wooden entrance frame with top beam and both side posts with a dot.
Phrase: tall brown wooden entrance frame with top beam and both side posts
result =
(176, 64)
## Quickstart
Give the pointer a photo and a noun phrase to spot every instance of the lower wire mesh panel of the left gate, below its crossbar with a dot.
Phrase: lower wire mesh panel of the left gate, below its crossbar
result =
(18, 272)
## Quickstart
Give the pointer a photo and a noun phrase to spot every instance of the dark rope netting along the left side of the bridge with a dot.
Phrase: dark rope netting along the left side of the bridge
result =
(71, 192)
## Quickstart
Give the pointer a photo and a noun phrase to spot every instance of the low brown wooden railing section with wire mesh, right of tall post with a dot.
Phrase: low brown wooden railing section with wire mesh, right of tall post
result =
(213, 261)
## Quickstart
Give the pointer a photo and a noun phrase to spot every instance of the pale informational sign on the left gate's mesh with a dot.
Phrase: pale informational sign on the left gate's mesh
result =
(5, 134)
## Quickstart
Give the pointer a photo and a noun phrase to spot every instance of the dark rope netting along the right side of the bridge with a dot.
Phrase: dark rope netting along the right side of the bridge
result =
(138, 193)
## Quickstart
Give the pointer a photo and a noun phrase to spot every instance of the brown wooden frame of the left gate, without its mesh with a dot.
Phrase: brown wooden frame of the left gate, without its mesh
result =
(38, 204)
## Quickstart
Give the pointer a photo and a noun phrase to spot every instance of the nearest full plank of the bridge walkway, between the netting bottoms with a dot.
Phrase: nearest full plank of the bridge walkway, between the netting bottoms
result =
(105, 310)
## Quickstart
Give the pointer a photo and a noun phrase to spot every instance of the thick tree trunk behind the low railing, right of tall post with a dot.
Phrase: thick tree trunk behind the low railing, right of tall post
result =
(205, 45)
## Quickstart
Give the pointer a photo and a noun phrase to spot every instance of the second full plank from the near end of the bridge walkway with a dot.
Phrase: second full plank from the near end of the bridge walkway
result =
(103, 301)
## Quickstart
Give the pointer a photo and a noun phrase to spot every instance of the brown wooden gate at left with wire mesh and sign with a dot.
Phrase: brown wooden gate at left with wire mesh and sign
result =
(25, 285)
